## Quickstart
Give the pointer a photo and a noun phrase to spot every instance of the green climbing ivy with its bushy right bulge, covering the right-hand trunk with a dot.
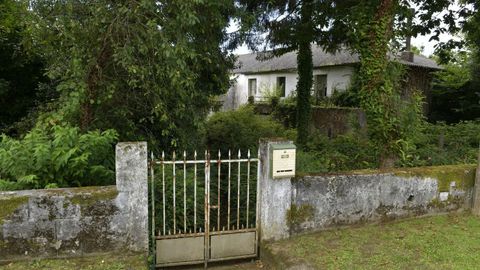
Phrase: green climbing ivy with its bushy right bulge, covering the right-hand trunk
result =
(391, 118)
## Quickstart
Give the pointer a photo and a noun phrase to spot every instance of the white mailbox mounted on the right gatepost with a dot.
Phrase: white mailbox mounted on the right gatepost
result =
(283, 160)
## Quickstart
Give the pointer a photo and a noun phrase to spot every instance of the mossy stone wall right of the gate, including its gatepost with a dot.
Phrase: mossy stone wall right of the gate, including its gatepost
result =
(307, 203)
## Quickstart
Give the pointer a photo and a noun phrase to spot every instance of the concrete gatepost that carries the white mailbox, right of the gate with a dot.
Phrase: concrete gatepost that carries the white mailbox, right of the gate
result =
(275, 197)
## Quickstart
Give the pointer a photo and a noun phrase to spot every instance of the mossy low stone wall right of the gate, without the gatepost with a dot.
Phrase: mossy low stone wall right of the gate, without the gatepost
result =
(320, 202)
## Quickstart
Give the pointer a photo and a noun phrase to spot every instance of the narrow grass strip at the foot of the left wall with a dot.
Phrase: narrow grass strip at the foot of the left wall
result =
(101, 262)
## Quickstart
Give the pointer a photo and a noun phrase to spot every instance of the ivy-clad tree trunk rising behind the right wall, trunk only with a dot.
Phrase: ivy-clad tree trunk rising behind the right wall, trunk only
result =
(375, 91)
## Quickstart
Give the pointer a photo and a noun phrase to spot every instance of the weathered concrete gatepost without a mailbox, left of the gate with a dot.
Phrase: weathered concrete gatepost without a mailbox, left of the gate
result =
(131, 163)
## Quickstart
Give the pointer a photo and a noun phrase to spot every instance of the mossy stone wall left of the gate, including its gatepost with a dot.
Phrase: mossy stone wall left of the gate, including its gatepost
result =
(77, 221)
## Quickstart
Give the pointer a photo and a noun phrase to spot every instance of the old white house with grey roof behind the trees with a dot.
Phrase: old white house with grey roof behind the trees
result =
(331, 72)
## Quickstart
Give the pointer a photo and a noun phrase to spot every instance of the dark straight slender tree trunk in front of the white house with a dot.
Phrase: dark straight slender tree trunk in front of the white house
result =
(305, 72)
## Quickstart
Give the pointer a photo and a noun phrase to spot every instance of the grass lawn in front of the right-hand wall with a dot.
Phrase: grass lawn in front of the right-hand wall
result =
(441, 242)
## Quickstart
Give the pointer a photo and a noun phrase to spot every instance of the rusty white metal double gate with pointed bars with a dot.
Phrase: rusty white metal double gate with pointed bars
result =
(199, 218)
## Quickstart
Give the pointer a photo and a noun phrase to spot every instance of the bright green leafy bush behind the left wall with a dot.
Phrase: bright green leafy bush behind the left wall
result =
(57, 156)
